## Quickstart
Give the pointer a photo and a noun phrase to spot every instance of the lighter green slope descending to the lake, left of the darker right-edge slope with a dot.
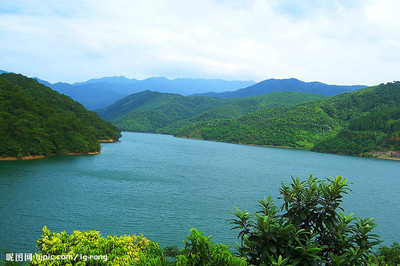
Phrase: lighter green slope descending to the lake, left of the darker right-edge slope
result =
(280, 126)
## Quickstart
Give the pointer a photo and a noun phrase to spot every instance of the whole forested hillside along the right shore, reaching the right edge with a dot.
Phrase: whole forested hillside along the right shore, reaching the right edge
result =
(359, 122)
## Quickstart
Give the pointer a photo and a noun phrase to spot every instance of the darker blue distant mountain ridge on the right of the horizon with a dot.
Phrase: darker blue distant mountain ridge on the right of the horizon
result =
(278, 85)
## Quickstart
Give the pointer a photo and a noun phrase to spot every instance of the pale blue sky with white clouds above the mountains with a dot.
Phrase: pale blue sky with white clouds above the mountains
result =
(332, 41)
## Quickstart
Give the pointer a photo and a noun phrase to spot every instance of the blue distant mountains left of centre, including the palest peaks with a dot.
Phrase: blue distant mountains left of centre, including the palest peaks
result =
(99, 93)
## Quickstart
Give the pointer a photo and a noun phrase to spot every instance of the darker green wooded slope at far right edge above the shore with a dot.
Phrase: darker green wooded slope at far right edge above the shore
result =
(375, 130)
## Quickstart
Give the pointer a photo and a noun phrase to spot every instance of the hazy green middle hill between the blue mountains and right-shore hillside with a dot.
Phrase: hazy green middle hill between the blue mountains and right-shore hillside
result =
(163, 113)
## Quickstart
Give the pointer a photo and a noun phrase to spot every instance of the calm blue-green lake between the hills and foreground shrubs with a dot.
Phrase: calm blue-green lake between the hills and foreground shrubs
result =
(161, 186)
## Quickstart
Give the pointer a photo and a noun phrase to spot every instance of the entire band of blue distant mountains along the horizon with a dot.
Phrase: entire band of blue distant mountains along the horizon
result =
(101, 92)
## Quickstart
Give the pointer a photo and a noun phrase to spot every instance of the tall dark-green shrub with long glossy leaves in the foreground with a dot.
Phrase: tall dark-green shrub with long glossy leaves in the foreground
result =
(310, 231)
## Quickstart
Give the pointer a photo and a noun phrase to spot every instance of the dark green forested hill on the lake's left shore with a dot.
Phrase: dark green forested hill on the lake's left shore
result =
(35, 120)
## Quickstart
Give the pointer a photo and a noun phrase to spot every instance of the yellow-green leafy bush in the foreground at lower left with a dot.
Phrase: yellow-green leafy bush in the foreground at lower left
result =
(89, 248)
